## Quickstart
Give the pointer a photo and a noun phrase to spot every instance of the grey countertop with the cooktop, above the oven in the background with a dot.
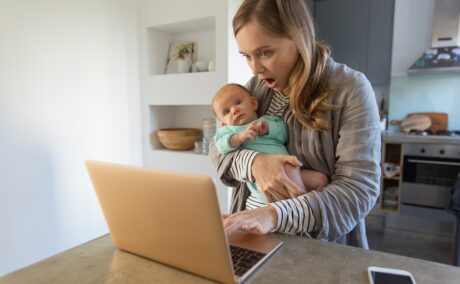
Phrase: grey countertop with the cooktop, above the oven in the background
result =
(401, 137)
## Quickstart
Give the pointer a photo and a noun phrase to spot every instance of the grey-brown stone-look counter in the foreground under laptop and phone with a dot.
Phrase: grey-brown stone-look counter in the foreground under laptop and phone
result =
(299, 260)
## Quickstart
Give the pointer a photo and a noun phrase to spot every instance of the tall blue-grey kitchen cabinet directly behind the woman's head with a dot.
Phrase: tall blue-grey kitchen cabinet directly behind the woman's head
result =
(359, 33)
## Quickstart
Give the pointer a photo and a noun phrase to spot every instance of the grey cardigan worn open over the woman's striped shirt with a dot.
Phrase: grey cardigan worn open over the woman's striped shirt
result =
(349, 153)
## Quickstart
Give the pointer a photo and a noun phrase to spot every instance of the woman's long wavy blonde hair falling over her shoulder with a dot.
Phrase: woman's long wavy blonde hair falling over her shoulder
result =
(307, 82)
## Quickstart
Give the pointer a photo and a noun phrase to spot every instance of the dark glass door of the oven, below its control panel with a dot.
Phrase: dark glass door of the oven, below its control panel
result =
(428, 181)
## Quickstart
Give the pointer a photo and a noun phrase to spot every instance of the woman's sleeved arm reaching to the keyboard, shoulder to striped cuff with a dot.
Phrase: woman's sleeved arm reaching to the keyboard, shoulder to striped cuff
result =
(354, 186)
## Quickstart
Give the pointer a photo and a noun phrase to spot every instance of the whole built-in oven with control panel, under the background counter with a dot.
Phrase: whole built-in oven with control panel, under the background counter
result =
(429, 174)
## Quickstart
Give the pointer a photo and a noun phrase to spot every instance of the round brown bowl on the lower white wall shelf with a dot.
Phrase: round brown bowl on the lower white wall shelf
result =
(179, 138)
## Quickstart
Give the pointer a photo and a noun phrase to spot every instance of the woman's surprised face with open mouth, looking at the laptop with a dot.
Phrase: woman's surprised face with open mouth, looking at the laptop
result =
(270, 58)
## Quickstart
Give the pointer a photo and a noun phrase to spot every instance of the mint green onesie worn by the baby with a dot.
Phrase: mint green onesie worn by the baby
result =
(271, 143)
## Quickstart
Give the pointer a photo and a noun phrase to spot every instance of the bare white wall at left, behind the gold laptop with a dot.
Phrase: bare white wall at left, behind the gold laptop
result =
(68, 92)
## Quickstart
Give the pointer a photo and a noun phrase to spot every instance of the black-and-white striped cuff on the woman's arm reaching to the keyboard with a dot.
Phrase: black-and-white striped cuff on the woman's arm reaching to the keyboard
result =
(295, 216)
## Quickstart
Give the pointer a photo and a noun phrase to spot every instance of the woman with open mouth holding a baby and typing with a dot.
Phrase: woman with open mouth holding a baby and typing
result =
(333, 124)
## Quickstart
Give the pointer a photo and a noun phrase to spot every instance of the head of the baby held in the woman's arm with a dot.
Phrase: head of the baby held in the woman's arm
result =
(234, 105)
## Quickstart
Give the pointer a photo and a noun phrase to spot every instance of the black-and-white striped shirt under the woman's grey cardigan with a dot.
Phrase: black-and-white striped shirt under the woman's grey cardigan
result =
(294, 215)
